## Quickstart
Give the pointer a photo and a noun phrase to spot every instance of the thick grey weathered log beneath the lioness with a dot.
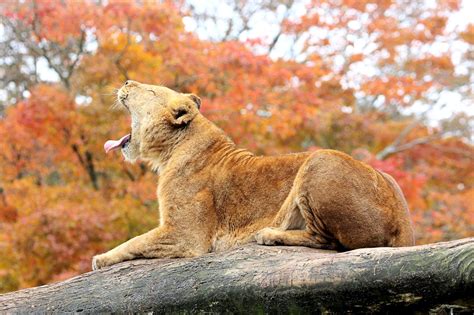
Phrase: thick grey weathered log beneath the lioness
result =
(275, 279)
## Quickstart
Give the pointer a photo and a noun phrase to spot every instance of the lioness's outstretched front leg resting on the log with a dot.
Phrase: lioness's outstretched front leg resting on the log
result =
(157, 243)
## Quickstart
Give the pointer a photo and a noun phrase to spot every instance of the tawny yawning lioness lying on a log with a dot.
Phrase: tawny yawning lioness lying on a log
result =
(213, 195)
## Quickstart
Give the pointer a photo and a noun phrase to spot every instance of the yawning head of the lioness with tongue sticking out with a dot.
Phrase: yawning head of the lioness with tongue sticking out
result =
(159, 117)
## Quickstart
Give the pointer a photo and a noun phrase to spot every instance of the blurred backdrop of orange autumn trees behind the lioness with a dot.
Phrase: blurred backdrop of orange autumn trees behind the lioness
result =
(388, 81)
